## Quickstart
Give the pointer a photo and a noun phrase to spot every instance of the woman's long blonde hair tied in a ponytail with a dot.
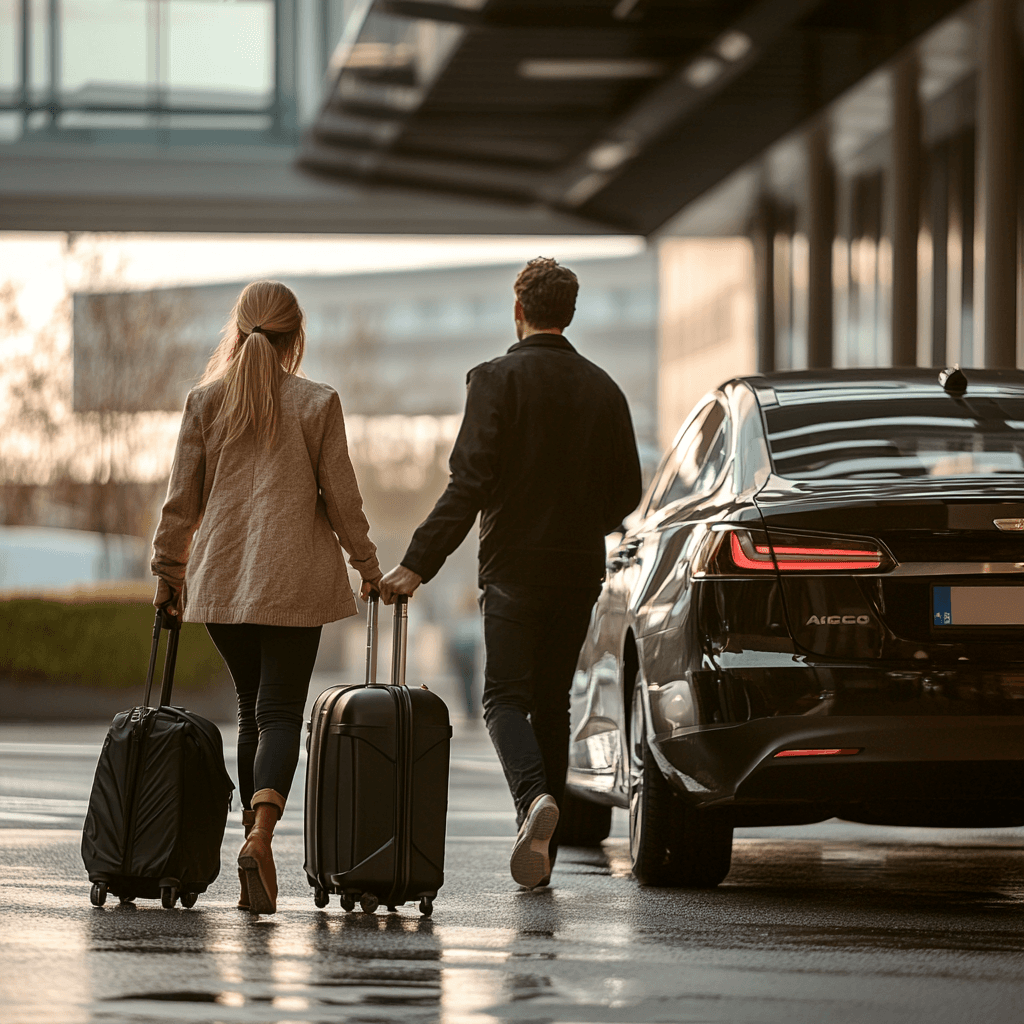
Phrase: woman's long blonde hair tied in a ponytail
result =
(264, 340)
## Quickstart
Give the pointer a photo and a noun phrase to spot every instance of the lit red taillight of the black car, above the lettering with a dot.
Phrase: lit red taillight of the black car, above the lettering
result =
(744, 551)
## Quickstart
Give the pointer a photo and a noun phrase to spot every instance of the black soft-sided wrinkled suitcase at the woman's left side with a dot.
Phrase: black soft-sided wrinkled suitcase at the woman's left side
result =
(160, 798)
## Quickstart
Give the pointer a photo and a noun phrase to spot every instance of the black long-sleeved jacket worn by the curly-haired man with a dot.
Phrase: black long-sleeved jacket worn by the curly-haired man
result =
(547, 455)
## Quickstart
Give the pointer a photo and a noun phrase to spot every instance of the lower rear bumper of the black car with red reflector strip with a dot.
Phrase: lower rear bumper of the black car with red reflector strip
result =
(908, 770)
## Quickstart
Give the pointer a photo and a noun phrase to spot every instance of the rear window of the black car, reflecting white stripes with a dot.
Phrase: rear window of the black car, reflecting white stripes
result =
(895, 437)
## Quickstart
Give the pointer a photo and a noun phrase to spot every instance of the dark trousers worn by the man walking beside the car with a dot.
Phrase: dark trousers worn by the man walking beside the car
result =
(533, 636)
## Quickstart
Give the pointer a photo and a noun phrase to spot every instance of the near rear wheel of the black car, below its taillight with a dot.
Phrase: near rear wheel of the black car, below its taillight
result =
(671, 844)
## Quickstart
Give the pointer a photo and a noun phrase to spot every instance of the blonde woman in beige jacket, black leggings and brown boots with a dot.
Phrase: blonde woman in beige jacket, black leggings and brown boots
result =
(262, 501)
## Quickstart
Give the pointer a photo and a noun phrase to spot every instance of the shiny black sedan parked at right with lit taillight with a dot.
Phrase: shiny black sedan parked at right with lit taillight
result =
(818, 612)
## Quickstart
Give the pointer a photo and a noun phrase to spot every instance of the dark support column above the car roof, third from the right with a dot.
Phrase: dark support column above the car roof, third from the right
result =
(821, 236)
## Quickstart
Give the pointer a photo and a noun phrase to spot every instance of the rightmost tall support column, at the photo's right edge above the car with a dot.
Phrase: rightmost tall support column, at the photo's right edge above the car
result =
(999, 166)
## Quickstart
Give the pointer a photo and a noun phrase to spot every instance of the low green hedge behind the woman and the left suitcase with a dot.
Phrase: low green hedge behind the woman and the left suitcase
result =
(97, 645)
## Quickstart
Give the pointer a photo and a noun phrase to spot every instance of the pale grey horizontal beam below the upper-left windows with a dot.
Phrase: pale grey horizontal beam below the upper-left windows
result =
(223, 190)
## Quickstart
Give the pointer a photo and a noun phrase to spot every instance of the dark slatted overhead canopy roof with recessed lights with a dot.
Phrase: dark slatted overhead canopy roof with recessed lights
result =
(617, 112)
